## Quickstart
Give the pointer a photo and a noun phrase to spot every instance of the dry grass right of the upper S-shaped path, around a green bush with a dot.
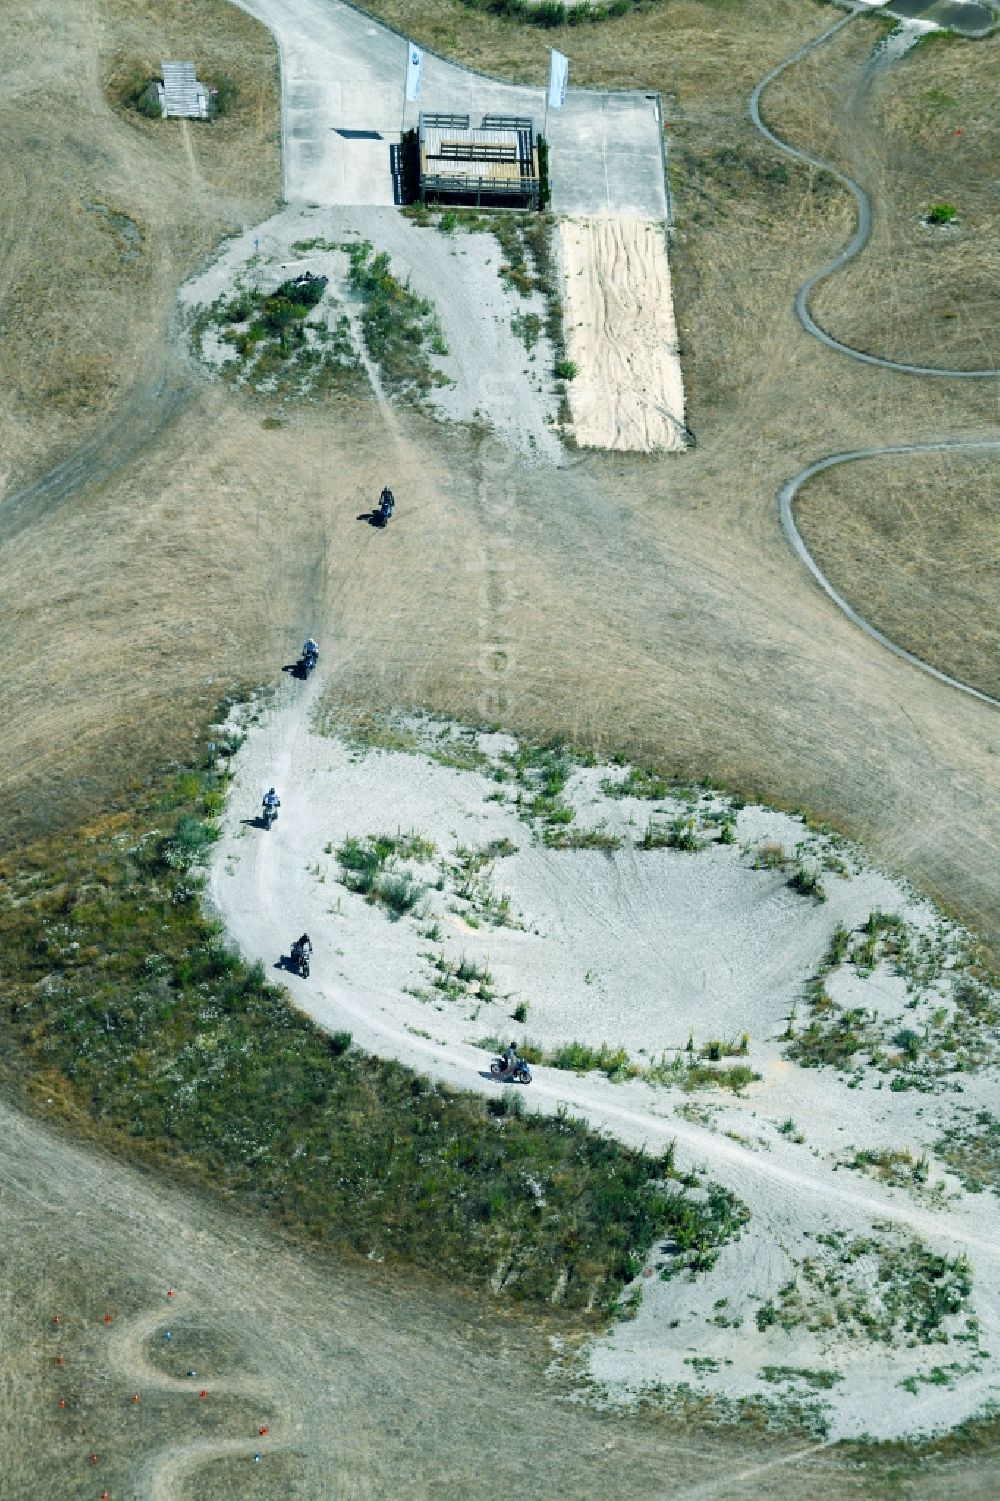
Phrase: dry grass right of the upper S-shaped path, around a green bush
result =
(924, 131)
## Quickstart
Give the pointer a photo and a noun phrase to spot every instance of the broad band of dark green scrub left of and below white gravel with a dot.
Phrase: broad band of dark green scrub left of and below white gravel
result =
(128, 1012)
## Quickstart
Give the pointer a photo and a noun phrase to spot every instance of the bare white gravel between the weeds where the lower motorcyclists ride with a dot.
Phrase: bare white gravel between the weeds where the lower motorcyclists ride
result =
(639, 948)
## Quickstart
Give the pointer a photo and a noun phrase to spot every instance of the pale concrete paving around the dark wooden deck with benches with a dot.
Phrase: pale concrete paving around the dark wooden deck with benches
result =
(345, 73)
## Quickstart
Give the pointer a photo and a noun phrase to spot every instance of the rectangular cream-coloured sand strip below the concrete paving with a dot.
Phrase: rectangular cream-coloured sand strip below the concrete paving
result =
(622, 337)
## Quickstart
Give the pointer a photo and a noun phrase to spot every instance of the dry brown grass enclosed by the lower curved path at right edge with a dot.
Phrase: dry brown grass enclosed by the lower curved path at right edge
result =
(912, 546)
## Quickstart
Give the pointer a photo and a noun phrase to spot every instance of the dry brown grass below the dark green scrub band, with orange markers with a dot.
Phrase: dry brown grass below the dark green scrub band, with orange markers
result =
(400, 1392)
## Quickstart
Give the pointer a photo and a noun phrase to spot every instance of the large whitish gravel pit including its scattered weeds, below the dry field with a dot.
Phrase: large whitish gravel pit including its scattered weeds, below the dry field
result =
(852, 1304)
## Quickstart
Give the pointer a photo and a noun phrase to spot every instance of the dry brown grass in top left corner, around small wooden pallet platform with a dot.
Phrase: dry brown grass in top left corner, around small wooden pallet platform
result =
(85, 307)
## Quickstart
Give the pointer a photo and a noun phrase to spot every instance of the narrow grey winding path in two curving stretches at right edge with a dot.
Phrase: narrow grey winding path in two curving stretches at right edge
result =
(854, 248)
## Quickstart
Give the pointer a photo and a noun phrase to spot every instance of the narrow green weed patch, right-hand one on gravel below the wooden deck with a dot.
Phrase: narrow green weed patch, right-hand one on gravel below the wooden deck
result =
(399, 325)
